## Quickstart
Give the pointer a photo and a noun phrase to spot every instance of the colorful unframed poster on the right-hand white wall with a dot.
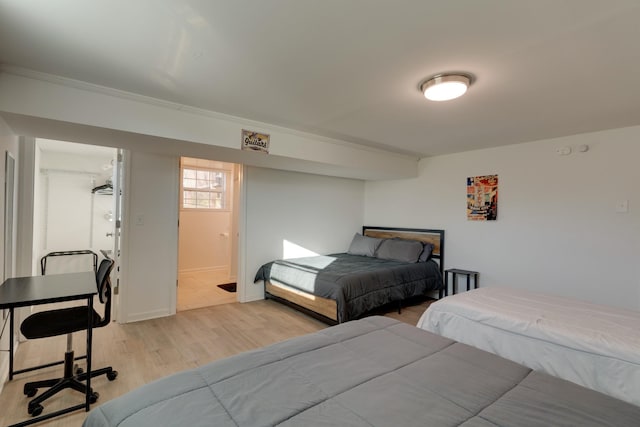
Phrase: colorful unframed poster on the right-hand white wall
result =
(482, 198)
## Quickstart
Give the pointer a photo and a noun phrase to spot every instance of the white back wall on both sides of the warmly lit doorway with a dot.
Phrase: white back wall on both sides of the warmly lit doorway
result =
(318, 213)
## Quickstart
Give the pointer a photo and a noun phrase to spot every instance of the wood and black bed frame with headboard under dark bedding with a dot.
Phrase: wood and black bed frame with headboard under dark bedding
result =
(325, 309)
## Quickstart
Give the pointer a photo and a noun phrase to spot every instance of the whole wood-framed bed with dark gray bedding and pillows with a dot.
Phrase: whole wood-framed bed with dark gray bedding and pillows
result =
(382, 266)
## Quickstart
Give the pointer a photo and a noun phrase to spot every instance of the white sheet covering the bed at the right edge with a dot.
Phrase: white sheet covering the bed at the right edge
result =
(592, 345)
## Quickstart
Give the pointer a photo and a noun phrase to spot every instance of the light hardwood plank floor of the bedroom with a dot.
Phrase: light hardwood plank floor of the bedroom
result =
(144, 351)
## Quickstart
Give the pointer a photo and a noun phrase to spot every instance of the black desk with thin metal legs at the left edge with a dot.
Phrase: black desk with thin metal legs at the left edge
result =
(35, 290)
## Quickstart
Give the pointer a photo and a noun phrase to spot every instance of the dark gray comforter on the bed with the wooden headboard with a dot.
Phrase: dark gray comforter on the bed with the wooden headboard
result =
(358, 284)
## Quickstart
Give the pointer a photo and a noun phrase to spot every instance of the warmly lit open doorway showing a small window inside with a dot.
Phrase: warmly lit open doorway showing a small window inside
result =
(207, 237)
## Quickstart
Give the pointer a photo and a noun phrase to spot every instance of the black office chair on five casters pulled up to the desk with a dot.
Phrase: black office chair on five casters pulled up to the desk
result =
(66, 321)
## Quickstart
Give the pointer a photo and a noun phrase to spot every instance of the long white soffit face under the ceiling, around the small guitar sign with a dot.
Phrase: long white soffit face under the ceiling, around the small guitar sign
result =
(69, 110)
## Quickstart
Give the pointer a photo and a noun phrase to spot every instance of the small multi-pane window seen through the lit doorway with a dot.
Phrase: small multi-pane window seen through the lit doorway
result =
(204, 188)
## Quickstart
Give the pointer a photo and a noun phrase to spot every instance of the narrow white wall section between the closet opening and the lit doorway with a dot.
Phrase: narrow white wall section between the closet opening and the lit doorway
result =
(150, 237)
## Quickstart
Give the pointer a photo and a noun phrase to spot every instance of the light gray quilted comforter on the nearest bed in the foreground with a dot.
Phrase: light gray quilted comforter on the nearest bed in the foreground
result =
(371, 372)
